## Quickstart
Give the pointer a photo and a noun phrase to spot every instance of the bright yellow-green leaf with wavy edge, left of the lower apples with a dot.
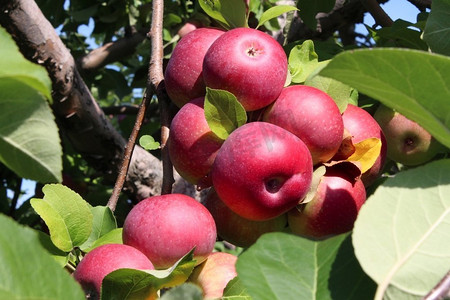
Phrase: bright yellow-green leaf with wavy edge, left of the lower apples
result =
(66, 214)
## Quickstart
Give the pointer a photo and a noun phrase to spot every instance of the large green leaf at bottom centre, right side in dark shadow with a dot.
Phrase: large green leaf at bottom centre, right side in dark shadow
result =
(285, 266)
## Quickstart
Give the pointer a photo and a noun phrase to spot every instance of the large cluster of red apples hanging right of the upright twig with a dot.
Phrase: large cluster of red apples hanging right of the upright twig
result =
(293, 167)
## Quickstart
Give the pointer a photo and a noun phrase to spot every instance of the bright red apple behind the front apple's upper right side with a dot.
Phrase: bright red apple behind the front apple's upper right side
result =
(313, 116)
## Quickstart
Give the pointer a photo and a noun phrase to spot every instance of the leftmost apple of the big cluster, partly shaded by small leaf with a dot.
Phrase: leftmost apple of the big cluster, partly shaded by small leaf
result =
(192, 145)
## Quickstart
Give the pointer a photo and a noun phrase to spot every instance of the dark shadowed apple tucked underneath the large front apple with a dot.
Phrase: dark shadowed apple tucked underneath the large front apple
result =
(235, 229)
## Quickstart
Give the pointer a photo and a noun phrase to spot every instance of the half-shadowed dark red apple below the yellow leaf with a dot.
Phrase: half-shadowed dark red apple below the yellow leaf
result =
(333, 210)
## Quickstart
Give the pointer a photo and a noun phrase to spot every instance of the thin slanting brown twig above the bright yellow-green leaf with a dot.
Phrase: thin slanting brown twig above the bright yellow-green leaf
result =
(112, 202)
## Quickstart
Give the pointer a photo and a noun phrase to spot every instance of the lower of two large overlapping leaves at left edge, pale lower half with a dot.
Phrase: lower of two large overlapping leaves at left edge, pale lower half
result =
(29, 138)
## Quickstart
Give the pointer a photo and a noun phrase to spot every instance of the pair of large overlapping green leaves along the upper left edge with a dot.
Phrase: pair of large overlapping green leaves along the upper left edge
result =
(29, 139)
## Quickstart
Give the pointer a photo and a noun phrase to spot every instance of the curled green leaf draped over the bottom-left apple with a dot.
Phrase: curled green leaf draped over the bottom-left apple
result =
(137, 284)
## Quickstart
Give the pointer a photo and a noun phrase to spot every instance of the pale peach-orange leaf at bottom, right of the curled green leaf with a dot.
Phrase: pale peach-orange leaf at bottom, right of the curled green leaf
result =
(214, 274)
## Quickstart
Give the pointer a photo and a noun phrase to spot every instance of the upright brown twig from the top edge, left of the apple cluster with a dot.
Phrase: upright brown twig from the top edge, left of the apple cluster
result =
(156, 81)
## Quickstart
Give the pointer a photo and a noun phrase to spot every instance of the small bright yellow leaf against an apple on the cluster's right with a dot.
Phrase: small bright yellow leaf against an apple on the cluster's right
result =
(366, 153)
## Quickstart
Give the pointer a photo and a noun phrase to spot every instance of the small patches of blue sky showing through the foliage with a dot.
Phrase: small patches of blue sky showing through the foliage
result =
(396, 9)
